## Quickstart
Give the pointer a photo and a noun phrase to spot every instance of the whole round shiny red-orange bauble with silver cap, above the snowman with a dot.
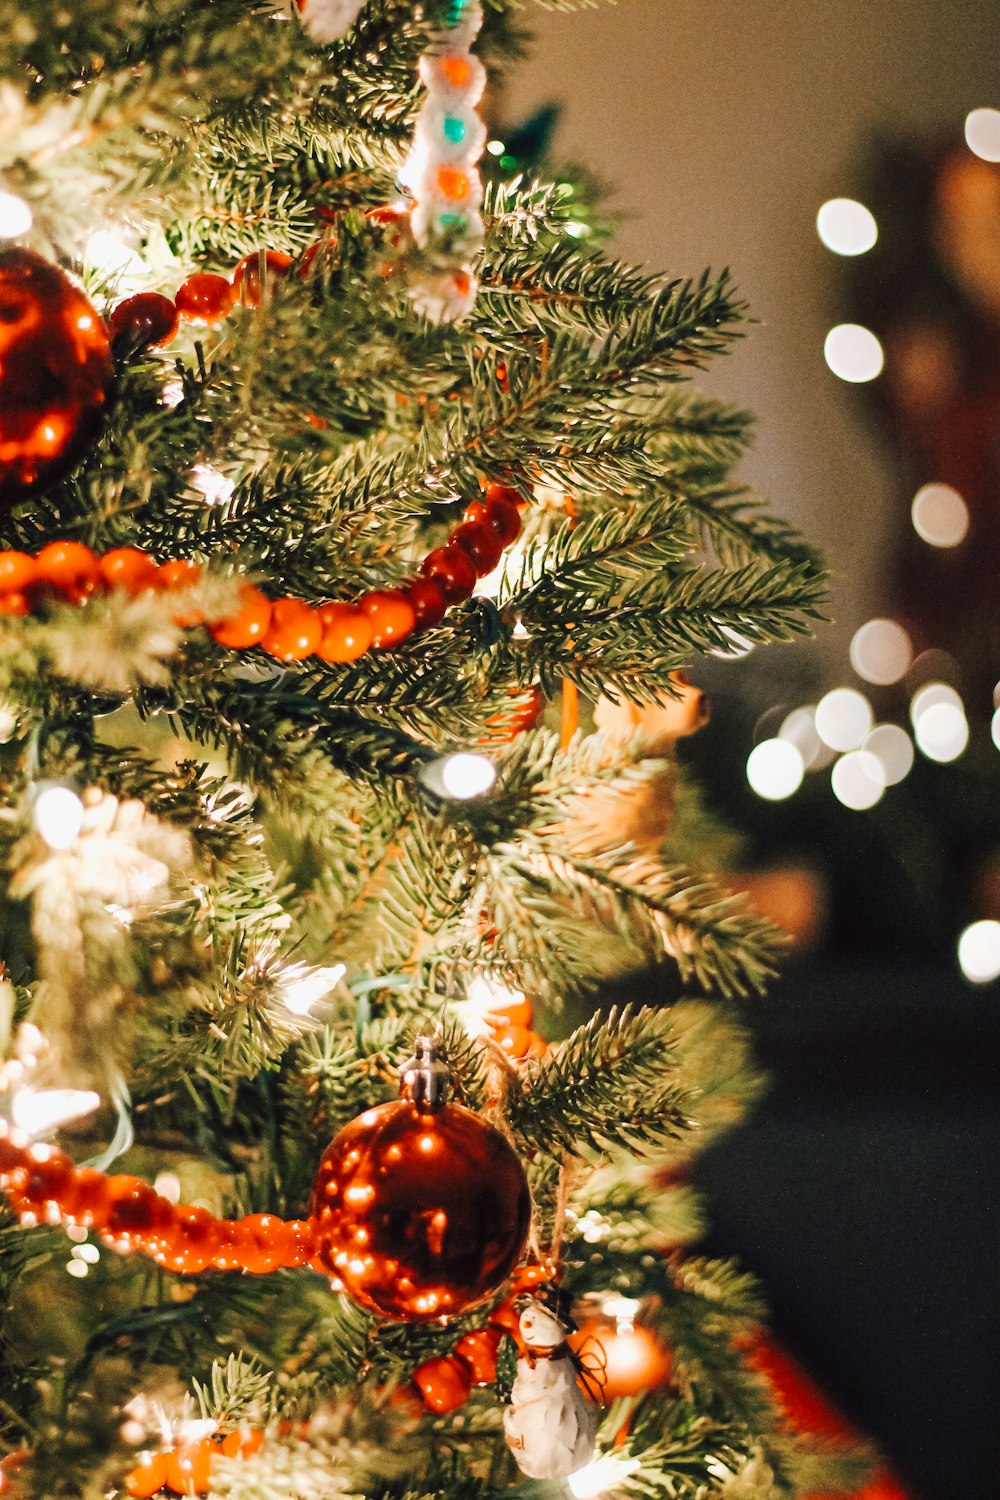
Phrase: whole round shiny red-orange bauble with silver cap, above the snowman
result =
(421, 1214)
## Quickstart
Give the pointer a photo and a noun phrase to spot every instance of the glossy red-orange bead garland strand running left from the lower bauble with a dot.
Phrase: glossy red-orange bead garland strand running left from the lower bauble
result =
(46, 1186)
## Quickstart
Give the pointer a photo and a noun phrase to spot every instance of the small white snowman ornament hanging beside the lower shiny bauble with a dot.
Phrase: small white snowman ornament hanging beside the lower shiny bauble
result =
(551, 1423)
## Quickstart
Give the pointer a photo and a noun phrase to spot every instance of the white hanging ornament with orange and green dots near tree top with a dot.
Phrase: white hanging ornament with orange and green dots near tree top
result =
(443, 169)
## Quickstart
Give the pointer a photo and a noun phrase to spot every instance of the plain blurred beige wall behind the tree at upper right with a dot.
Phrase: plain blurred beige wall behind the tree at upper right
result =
(720, 128)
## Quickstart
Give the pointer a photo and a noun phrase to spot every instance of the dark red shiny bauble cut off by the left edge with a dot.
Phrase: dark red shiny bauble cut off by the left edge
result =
(55, 373)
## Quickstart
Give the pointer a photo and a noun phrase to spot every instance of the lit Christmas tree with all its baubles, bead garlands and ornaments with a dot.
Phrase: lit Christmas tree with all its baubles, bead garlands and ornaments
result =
(347, 485)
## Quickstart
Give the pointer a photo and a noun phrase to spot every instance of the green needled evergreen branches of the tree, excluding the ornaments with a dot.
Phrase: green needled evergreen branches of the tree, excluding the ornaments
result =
(253, 830)
